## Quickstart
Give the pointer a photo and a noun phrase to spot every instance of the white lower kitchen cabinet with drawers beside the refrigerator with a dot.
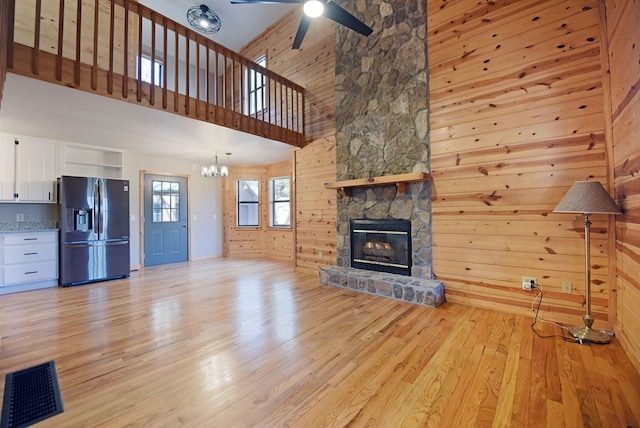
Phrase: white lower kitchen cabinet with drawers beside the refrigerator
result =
(29, 260)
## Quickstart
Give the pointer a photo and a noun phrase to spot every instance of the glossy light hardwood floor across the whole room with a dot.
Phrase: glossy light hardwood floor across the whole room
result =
(226, 342)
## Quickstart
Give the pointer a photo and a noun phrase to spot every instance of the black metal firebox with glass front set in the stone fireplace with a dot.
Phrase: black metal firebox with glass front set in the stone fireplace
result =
(381, 245)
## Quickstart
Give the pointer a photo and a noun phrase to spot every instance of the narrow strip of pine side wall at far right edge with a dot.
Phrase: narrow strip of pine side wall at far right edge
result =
(623, 36)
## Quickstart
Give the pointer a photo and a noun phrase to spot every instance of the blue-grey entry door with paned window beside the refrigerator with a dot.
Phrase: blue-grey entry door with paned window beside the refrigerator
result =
(165, 219)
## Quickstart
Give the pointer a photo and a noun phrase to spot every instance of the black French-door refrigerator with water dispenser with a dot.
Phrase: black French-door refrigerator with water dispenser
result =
(94, 229)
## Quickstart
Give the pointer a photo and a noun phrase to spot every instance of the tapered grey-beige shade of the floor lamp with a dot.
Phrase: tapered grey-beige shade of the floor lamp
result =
(587, 197)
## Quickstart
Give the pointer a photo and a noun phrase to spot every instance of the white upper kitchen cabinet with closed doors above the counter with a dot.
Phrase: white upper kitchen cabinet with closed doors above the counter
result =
(29, 169)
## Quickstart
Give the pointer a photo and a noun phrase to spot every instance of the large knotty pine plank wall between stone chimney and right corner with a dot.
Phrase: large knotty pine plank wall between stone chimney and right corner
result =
(517, 117)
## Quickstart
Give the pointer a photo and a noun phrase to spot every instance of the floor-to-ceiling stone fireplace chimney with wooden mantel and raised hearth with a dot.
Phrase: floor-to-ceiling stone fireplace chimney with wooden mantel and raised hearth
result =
(382, 145)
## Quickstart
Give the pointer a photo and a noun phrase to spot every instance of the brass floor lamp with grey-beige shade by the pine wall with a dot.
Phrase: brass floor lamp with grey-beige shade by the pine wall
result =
(586, 198)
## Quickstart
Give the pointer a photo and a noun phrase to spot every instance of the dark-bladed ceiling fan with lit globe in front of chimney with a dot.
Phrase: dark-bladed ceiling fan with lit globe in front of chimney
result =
(313, 9)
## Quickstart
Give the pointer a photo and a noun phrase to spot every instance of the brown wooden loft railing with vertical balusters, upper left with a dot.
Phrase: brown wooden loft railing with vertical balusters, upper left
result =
(102, 46)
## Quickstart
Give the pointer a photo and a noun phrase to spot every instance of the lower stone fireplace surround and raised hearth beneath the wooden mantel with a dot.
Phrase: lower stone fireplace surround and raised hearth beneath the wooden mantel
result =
(387, 204)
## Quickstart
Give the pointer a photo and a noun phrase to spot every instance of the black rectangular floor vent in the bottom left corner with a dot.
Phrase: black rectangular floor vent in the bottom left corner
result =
(31, 395)
